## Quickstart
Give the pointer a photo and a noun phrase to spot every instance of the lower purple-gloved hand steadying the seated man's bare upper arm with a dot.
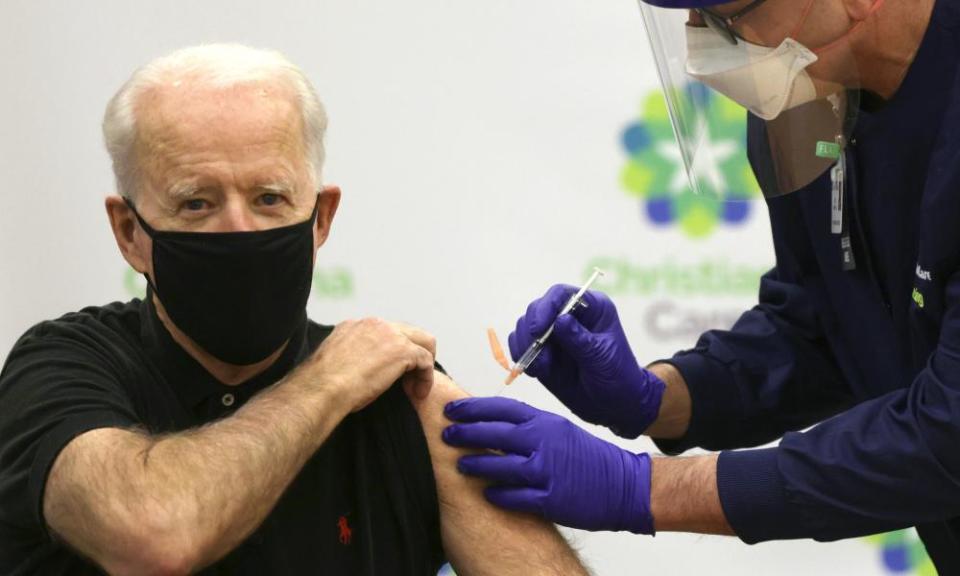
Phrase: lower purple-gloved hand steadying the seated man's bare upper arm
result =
(551, 467)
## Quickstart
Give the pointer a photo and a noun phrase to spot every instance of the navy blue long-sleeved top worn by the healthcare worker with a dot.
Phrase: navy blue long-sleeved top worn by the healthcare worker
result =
(873, 353)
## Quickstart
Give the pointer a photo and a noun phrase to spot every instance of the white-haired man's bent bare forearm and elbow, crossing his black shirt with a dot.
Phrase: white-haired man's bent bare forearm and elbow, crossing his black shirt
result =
(193, 495)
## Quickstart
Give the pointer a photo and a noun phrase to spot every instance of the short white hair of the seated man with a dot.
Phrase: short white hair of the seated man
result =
(219, 66)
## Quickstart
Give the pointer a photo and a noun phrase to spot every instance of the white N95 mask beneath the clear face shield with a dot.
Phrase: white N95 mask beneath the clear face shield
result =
(764, 80)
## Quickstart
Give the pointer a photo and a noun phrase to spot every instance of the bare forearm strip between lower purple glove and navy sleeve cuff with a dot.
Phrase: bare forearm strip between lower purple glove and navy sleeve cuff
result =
(684, 496)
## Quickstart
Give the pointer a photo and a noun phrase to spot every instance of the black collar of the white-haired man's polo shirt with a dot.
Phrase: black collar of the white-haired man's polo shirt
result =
(192, 383)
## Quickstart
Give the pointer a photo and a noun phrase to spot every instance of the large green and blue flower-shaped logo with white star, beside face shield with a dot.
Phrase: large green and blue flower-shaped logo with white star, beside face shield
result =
(655, 171)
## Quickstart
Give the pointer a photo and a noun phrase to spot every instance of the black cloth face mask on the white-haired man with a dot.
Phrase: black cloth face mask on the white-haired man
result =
(239, 295)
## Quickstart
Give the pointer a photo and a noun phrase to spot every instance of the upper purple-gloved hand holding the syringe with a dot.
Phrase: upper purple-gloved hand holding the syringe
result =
(587, 362)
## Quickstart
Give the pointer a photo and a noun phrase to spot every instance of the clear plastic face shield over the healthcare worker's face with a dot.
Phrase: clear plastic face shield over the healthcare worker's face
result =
(808, 117)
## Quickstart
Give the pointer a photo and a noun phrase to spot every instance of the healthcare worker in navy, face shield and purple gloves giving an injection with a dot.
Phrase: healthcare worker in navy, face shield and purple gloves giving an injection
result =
(854, 136)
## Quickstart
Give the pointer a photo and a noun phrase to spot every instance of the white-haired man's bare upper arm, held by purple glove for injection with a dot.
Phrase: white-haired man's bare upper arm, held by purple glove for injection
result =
(478, 537)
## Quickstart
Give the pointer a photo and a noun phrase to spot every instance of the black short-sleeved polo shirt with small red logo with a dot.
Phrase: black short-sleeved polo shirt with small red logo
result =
(364, 504)
